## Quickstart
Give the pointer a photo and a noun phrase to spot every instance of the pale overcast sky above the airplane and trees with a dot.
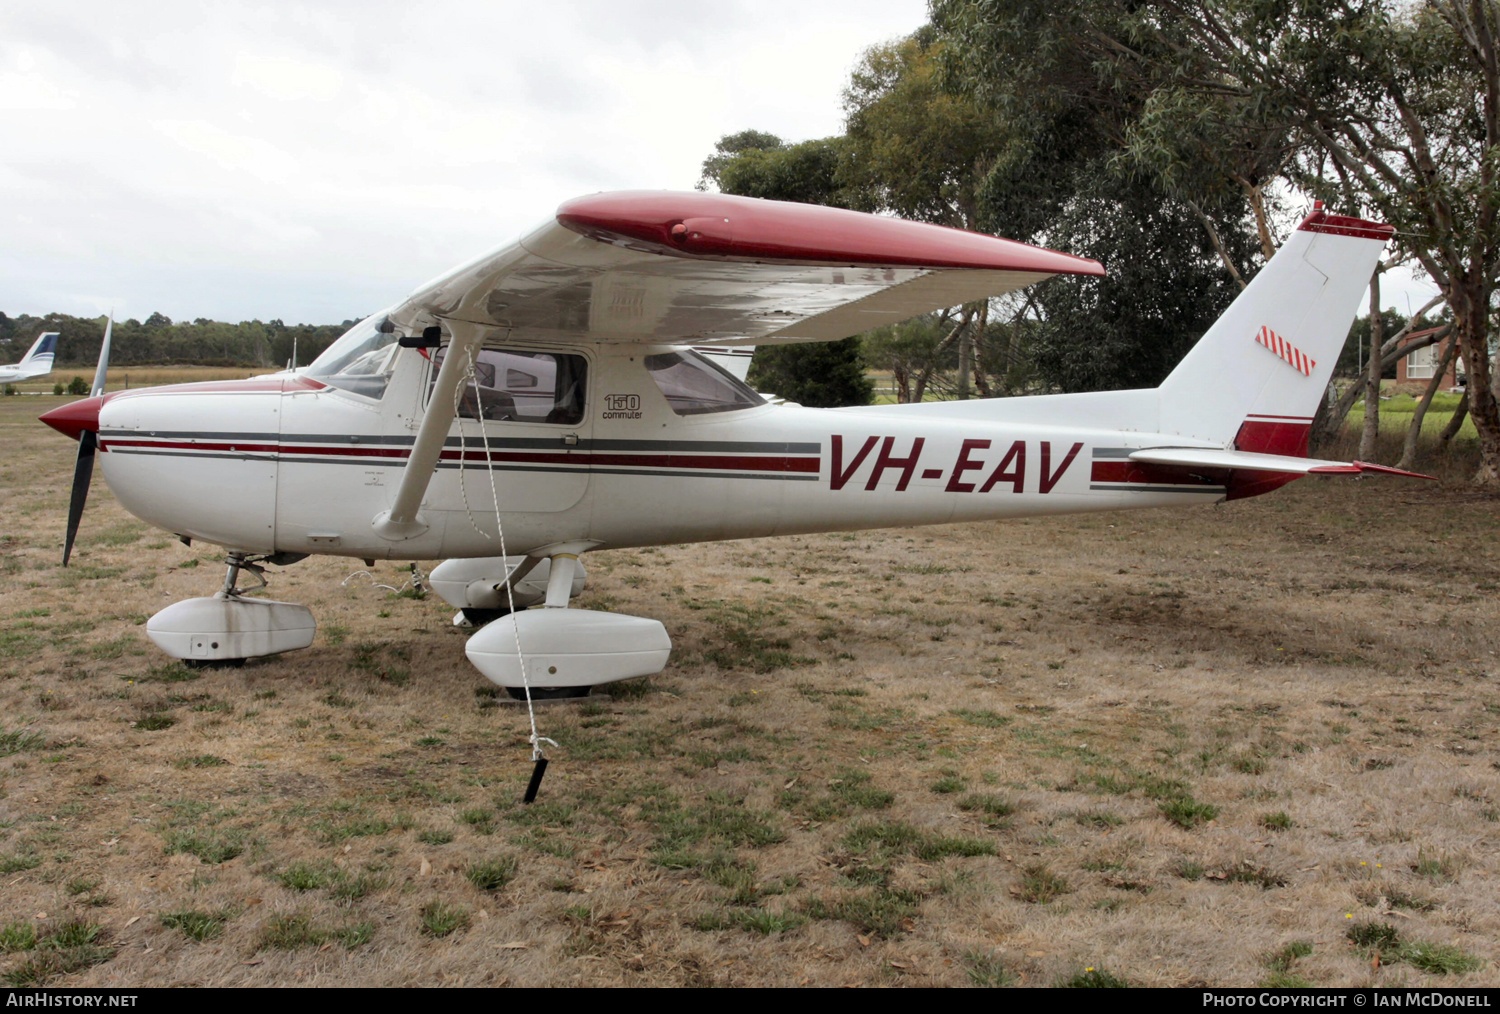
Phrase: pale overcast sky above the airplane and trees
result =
(317, 163)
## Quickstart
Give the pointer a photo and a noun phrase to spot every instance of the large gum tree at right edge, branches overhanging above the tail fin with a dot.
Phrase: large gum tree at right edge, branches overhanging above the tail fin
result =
(1379, 107)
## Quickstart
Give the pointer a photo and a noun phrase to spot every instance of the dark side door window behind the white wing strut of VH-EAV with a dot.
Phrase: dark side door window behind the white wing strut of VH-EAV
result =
(521, 388)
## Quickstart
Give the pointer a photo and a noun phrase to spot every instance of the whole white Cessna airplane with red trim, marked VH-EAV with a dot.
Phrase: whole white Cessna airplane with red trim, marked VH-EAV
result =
(547, 400)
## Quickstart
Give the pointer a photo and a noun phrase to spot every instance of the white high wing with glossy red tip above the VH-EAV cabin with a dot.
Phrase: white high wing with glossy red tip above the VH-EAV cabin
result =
(710, 269)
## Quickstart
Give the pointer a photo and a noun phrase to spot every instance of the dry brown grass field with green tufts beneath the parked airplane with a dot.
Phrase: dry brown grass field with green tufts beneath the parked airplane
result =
(1249, 745)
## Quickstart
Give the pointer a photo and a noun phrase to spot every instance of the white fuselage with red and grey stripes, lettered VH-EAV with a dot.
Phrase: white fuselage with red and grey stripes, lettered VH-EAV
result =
(289, 464)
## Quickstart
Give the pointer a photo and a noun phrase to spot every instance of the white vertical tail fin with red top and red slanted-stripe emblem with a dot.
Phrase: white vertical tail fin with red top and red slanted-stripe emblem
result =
(1258, 376)
